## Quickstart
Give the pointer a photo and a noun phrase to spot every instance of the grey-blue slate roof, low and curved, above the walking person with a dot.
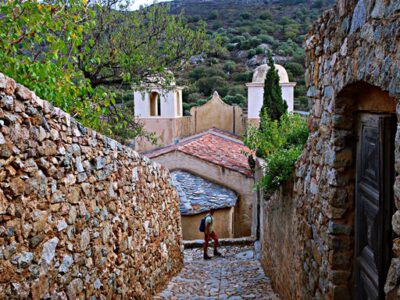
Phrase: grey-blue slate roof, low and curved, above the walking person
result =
(198, 195)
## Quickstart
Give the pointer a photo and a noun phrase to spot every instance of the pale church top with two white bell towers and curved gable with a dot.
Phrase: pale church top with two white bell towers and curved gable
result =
(159, 109)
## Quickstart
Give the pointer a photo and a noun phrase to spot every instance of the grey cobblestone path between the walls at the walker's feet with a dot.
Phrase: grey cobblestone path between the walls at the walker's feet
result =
(237, 275)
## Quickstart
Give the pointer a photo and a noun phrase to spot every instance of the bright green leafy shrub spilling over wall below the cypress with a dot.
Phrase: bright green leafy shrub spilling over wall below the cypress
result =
(279, 143)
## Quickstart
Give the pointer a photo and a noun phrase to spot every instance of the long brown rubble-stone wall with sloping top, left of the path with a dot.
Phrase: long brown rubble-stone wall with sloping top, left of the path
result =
(80, 215)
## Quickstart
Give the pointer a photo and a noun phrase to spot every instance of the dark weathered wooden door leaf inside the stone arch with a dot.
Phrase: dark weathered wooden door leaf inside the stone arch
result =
(374, 203)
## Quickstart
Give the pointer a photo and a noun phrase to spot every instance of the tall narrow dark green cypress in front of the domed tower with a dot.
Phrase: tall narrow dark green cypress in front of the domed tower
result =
(273, 102)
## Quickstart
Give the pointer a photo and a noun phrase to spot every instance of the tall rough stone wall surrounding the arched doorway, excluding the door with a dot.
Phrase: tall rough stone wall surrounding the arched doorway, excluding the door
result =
(353, 49)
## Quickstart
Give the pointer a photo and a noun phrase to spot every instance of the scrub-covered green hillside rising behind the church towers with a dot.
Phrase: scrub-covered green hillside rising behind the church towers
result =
(247, 30)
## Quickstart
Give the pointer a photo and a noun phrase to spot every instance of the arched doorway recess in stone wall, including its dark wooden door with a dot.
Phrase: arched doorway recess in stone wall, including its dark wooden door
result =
(370, 176)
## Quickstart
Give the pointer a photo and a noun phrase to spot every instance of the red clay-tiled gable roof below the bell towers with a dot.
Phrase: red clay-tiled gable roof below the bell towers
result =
(215, 146)
